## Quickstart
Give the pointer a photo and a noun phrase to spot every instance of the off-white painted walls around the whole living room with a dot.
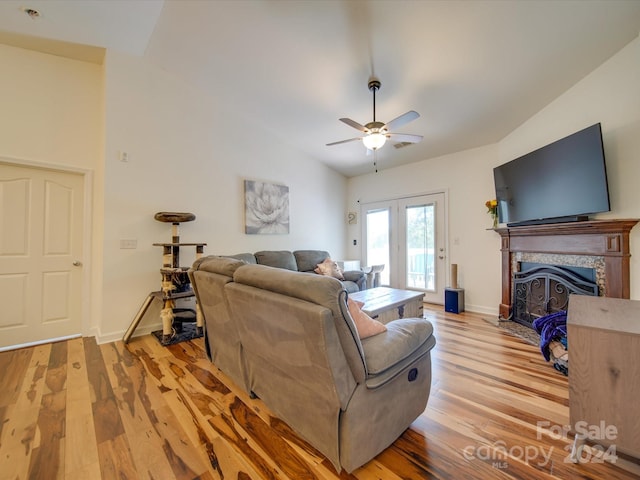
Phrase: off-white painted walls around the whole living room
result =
(186, 154)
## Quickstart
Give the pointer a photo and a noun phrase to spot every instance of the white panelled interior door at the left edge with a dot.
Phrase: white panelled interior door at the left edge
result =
(41, 236)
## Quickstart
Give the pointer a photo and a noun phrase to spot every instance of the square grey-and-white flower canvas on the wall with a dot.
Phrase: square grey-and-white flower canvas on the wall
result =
(266, 207)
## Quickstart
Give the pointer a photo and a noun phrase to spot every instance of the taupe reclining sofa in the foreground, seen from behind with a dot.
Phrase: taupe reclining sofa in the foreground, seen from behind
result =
(287, 337)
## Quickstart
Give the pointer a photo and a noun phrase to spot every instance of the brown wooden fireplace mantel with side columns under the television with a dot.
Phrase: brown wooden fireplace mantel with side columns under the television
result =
(605, 238)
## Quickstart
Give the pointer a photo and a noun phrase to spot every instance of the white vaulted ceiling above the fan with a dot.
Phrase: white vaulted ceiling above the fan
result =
(474, 70)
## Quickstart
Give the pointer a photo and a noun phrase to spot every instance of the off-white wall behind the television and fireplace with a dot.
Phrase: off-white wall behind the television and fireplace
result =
(609, 95)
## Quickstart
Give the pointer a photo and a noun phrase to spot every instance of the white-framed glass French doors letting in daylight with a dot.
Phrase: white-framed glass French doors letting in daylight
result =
(407, 236)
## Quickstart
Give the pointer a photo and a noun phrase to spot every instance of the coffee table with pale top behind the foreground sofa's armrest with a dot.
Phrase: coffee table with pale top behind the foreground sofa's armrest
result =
(386, 304)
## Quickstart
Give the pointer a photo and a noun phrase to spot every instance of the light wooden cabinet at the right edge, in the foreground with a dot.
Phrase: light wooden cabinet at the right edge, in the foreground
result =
(603, 336)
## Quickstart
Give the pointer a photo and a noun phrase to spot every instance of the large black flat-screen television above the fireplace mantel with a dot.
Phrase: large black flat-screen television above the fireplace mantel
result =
(561, 182)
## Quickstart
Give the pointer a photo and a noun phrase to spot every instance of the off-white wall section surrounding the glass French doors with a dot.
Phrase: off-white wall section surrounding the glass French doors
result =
(467, 179)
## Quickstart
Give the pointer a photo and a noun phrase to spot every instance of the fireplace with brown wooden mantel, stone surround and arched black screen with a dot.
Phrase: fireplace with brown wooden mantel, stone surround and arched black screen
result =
(600, 245)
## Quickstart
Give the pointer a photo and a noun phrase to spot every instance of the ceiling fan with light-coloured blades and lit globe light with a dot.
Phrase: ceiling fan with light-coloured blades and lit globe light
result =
(376, 133)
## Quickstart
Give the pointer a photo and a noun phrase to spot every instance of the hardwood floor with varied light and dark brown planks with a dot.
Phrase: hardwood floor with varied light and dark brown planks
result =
(77, 410)
